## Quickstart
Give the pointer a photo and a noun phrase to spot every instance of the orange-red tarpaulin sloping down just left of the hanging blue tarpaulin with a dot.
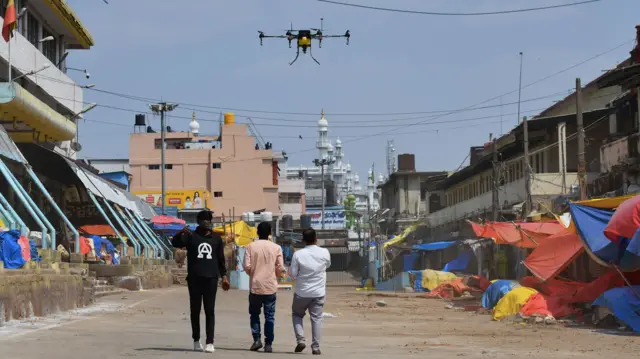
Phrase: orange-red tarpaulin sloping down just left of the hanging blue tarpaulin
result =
(554, 254)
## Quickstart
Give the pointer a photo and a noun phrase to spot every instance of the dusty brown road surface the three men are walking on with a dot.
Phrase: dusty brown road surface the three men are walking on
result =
(152, 324)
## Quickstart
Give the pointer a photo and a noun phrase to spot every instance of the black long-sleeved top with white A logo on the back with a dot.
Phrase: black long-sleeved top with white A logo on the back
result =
(205, 253)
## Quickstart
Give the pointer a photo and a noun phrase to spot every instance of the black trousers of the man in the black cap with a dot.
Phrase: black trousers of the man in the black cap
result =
(202, 290)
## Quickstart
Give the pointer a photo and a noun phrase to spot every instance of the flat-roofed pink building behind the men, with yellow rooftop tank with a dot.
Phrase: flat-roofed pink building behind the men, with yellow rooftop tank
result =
(236, 174)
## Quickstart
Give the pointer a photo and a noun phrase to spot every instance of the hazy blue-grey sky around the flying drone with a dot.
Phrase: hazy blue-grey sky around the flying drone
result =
(206, 56)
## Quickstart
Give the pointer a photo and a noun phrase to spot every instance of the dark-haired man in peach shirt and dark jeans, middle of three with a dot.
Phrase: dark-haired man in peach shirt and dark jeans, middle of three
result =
(263, 263)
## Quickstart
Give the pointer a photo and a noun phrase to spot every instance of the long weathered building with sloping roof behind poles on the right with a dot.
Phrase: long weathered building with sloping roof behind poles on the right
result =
(553, 158)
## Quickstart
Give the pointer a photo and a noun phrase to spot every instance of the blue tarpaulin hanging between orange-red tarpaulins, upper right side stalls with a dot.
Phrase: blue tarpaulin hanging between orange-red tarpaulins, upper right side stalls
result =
(590, 223)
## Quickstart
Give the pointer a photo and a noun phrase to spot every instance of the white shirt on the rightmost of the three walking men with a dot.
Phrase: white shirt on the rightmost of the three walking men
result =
(309, 268)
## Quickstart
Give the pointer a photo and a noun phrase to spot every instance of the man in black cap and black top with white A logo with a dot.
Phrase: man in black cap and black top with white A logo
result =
(205, 265)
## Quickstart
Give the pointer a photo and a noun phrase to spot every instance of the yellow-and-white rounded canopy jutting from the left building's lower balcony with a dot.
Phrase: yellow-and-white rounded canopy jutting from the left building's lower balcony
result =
(27, 119)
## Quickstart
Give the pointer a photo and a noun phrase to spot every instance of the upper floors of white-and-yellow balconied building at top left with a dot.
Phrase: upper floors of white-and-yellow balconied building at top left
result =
(41, 103)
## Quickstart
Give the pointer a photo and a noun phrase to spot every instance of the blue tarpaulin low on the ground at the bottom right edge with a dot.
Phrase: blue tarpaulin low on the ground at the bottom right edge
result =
(624, 304)
